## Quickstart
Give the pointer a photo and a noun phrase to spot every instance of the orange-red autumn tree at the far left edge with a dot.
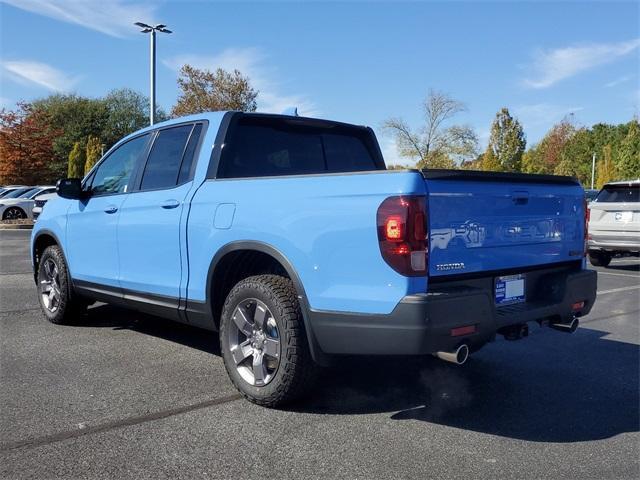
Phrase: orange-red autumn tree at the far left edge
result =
(26, 145)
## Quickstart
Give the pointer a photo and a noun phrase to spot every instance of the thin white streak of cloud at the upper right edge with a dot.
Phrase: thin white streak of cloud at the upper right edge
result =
(551, 66)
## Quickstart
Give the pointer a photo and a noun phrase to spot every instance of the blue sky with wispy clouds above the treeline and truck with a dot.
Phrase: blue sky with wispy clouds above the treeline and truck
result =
(358, 62)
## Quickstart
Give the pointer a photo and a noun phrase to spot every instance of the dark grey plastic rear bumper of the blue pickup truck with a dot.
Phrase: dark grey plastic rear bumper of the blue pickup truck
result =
(422, 323)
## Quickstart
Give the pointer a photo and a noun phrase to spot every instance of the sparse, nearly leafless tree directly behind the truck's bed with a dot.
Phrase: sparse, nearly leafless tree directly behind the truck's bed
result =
(436, 145)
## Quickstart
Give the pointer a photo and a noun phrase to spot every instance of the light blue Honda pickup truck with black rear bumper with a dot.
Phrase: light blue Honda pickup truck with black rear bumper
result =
(289, 237)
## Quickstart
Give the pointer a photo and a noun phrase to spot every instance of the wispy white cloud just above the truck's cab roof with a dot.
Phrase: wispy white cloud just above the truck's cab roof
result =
(252, 63)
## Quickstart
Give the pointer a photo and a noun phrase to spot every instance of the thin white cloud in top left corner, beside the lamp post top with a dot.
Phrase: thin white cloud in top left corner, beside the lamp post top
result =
(112, 17)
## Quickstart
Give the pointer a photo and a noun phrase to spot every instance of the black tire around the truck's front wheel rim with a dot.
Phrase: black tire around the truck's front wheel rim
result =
(69, 306)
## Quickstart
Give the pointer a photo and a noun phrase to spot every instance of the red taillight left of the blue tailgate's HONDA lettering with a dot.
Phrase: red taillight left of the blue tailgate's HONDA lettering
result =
(402, 234)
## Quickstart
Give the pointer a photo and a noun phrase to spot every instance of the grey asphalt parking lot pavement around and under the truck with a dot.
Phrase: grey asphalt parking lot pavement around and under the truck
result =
(124, 395)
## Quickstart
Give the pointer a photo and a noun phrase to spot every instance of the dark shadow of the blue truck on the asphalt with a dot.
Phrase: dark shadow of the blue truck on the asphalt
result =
(551, 387)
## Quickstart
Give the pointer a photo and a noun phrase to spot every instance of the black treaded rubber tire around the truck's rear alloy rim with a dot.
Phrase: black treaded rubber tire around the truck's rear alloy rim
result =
(296, 368)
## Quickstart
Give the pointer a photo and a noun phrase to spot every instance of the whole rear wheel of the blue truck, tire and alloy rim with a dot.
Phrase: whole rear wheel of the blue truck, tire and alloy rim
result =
(263, 342)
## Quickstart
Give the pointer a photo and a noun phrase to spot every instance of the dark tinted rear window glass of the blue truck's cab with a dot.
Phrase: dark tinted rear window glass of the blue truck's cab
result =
(260, 147)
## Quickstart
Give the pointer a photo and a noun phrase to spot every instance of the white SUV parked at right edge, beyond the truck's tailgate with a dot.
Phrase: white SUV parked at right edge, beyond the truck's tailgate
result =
(614, 224)
